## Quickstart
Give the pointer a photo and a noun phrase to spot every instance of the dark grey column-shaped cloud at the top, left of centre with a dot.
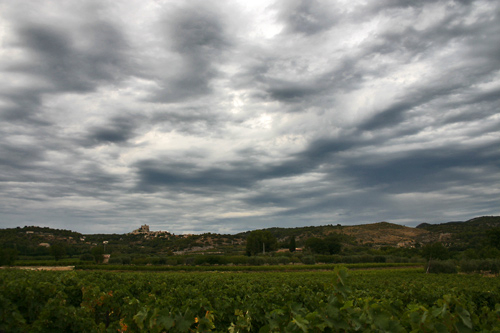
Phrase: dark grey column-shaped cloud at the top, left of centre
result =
(196, 34)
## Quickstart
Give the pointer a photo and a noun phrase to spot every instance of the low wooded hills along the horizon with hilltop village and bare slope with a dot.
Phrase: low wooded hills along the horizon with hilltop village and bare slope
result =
(455, 235)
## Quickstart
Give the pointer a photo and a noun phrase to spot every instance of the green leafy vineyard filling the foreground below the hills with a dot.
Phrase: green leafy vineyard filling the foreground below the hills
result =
(403, 300)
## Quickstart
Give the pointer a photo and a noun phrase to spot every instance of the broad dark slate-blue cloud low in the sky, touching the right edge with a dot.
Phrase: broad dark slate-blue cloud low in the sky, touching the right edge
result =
(426, 170)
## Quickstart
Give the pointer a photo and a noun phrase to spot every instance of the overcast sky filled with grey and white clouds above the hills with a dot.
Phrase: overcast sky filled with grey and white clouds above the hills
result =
(228, 116)
